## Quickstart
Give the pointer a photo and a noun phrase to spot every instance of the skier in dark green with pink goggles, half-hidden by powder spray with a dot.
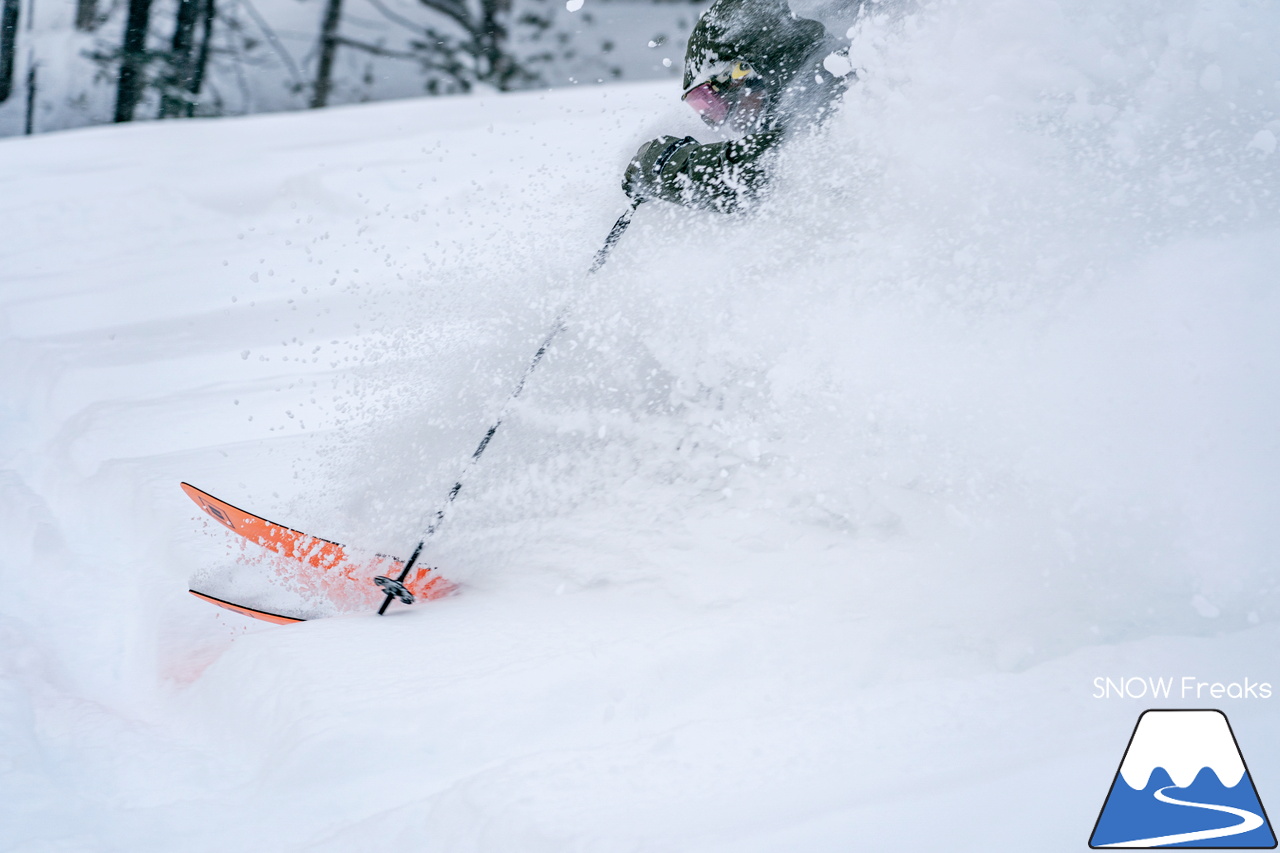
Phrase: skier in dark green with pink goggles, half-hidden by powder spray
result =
(752, 69)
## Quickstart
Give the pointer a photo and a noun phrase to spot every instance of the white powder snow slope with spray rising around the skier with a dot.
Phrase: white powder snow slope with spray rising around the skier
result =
(812, 533)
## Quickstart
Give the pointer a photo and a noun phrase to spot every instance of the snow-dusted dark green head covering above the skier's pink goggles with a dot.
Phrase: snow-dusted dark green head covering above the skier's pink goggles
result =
(762, 35)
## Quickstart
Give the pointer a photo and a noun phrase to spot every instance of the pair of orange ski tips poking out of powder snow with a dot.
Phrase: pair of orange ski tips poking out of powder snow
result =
(321, 565)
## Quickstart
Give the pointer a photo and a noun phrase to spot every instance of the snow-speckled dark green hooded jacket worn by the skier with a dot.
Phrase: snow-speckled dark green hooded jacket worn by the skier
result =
(788, 53)
